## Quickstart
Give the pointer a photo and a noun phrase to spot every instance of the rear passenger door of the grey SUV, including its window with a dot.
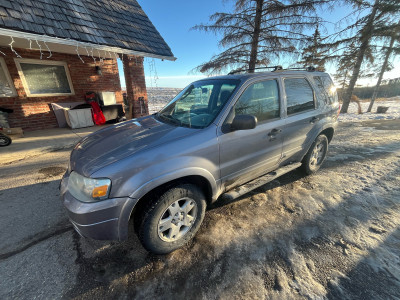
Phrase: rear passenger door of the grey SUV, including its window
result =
(302, 115)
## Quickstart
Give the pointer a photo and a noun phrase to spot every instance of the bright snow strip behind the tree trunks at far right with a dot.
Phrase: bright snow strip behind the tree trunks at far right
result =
(392, 113)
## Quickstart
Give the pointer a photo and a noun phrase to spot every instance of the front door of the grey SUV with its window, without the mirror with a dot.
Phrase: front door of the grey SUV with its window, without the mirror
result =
(247, 154)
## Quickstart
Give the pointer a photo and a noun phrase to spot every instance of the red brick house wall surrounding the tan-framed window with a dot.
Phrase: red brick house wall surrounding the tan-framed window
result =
(33, 113)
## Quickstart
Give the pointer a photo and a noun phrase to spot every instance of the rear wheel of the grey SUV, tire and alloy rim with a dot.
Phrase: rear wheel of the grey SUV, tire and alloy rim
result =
(315, 155)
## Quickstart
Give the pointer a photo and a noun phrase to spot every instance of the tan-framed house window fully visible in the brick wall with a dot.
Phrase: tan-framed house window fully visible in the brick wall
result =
(44, 78)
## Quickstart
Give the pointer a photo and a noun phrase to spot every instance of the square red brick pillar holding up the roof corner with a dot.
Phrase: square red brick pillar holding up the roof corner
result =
(136, 92)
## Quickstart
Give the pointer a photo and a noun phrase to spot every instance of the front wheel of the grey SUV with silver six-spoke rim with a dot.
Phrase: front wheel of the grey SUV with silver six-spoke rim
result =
(173, 219)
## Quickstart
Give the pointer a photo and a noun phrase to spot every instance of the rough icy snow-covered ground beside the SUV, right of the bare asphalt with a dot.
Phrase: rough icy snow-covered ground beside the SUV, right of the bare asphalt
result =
(331, 235)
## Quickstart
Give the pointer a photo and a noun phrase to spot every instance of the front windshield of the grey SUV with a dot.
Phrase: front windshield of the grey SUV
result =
(198, 104)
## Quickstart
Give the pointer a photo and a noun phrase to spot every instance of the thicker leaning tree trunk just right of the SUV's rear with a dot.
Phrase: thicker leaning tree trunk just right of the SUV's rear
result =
(365, 37)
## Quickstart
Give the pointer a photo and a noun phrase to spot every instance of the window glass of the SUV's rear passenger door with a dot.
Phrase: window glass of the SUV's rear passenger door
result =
(299, 95)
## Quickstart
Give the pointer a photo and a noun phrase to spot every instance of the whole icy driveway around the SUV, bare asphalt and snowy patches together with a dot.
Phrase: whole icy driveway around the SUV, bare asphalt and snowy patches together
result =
(332, 235)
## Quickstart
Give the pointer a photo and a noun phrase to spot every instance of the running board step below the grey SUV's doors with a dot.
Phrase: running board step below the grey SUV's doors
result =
(256, 183)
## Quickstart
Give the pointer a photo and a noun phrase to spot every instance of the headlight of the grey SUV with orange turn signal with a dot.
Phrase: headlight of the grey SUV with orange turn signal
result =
(88, 189)
